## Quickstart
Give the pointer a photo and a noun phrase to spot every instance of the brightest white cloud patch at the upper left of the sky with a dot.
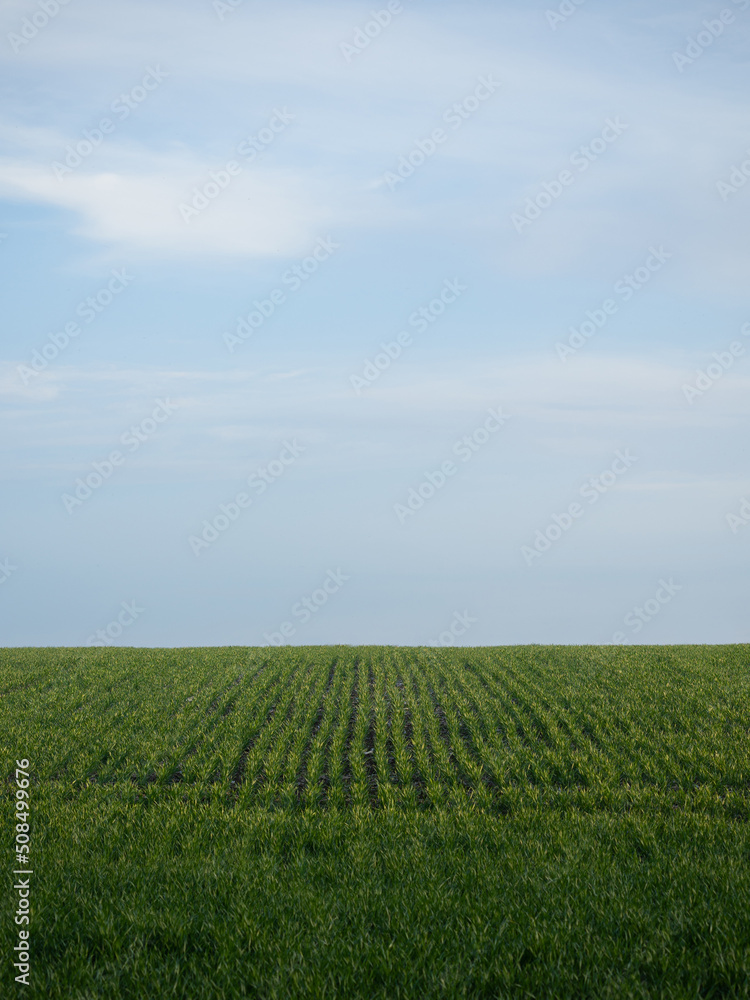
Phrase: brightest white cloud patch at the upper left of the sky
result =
(260, 212)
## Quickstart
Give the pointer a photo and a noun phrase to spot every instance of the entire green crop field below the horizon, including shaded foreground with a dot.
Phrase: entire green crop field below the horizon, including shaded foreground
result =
(362, 822)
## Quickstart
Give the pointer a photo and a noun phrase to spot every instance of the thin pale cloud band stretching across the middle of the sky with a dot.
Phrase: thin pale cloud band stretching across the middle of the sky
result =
(614, 394)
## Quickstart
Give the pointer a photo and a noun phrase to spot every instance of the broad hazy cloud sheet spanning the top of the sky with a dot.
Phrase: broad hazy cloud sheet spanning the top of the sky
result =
(354, 121)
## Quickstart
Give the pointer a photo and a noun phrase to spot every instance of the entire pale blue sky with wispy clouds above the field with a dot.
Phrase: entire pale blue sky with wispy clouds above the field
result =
(421, 323)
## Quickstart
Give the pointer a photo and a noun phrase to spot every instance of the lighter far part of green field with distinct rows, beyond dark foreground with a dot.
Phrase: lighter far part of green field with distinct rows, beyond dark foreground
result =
(382, 726)
